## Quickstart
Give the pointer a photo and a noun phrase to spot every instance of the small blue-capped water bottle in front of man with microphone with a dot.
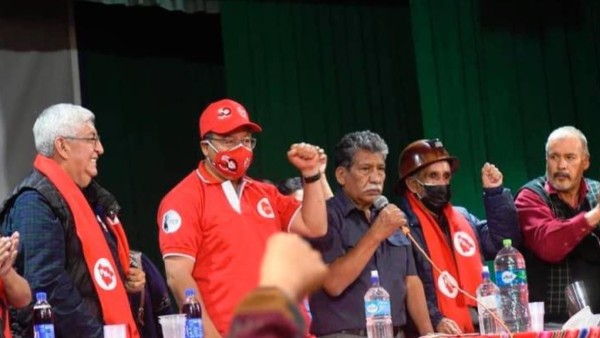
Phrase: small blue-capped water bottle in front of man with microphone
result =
(378, 310)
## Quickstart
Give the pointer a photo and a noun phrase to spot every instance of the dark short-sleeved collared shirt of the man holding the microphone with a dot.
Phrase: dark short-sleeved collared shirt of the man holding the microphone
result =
(393, 260)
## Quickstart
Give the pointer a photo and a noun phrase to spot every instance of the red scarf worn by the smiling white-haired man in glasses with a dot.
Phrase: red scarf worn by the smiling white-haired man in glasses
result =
(101, 265)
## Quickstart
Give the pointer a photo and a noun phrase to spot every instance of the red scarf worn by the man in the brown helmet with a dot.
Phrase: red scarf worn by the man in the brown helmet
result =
(463, 262)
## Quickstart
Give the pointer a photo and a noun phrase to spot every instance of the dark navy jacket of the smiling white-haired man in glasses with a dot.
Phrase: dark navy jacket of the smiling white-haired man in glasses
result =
(51, 258)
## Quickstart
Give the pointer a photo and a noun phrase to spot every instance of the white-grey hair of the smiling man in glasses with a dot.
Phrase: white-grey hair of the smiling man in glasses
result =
(63, 119)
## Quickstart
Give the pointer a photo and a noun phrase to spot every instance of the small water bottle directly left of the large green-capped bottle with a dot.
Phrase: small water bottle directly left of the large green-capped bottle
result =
(488, 294)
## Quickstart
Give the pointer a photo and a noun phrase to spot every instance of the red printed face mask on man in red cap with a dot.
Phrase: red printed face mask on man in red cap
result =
(233, 163)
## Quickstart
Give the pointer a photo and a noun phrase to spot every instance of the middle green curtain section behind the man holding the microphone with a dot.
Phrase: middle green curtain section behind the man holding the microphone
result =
(314, 71)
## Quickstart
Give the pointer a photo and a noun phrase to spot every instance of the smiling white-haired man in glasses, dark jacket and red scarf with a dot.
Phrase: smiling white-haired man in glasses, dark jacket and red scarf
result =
(72, 244)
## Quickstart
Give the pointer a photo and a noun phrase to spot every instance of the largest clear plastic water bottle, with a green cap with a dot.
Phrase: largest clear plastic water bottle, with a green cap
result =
(512, 282)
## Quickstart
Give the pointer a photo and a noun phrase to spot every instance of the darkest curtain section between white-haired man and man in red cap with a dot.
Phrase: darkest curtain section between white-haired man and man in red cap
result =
(147, 93)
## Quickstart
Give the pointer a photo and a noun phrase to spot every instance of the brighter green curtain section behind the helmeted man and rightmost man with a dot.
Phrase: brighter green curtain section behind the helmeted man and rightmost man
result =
(496, 76)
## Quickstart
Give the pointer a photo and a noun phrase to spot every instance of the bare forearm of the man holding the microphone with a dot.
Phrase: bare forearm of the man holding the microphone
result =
(344, 270)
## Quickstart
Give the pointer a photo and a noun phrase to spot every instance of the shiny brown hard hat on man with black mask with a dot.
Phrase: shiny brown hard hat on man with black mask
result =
(420, 154)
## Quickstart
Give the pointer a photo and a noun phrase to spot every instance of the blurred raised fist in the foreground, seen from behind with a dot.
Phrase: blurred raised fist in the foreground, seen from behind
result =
(291, 265)
